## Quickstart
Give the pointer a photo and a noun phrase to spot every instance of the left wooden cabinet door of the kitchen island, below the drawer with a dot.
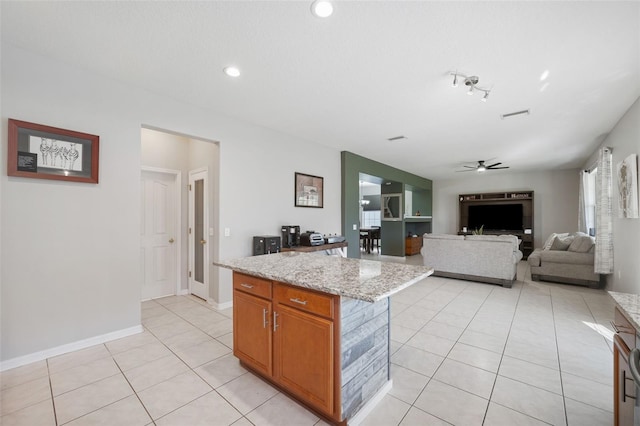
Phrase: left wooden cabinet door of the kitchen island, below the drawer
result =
(252, 336)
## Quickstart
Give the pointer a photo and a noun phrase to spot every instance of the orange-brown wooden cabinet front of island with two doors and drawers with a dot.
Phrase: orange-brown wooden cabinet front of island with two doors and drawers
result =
(288, 335)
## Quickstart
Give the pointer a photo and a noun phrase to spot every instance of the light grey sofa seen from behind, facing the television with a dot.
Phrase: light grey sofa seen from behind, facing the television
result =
(484, 258)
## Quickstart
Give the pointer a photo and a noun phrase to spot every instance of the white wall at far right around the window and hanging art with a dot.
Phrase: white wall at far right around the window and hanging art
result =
(625, 140)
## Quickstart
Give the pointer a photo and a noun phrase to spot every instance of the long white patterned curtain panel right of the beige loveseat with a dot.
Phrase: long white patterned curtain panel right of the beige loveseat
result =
(604, 214)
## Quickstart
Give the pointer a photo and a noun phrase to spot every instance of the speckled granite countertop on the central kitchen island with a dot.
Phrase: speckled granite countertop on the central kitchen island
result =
(367, 280)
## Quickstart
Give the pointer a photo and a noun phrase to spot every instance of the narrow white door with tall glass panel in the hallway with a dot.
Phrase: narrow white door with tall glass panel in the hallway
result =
(198, 234)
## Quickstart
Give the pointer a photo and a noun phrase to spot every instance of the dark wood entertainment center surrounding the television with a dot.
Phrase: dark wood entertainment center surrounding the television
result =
(496, 198)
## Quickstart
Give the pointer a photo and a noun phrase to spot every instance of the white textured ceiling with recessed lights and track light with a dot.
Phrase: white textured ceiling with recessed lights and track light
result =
(372, 71)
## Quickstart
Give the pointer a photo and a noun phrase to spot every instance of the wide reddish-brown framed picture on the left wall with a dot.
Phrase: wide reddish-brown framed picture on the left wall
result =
(45, 152)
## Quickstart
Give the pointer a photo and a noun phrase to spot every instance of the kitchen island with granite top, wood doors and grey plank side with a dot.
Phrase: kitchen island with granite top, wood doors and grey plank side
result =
(317, 327)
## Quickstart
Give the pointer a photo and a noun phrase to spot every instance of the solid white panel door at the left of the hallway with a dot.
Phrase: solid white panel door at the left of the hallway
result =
(158, 234)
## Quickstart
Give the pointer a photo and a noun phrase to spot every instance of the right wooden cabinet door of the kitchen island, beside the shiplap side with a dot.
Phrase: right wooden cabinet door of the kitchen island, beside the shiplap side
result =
(304, 356)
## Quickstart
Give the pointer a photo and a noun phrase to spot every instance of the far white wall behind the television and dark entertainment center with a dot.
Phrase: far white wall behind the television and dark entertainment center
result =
(555, 202)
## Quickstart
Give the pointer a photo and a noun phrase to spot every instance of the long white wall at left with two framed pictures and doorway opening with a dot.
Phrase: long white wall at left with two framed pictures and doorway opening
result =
(70, 252)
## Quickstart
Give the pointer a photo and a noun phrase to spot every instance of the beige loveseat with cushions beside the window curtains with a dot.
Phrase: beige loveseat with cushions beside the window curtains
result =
(566, 258)
